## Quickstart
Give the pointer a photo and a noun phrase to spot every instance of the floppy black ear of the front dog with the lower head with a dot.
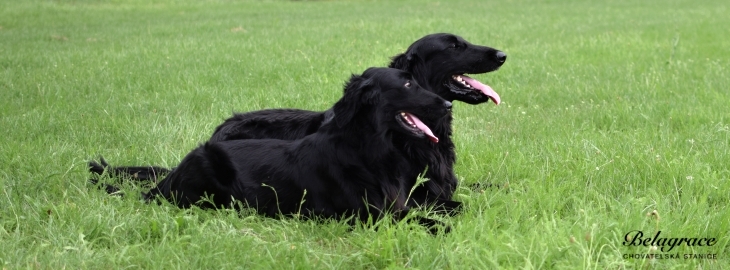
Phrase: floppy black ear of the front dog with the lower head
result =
(358, 91)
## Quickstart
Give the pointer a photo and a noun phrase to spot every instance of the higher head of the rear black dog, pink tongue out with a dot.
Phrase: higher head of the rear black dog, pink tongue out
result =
(439, 62)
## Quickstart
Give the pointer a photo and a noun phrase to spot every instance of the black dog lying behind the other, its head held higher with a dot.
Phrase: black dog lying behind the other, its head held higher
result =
(438, 62)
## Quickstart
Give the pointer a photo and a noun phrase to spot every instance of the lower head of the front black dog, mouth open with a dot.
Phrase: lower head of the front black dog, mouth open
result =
(390, 99)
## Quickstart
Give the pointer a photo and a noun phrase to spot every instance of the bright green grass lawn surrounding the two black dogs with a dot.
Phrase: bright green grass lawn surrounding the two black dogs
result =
(612, 109)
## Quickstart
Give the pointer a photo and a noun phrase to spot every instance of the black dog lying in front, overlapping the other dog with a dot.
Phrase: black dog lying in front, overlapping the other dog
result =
(349, 166)
